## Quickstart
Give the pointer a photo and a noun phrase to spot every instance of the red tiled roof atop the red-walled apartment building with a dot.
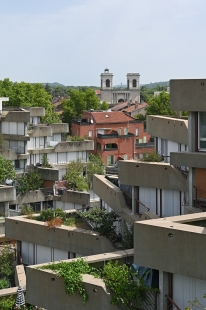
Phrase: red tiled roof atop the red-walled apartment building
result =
(110, 117)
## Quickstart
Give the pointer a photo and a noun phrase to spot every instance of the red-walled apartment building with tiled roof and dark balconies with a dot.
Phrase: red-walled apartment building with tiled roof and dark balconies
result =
(115, 134)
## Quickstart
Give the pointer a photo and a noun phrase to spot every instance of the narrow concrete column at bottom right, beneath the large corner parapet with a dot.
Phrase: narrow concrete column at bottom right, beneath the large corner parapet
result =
(163, 286)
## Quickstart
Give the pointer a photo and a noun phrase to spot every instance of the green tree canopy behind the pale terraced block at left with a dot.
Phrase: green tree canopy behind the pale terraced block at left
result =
(28, 95)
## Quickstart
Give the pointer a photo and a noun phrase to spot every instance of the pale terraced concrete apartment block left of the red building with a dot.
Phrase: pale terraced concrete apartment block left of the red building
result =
(27, 141)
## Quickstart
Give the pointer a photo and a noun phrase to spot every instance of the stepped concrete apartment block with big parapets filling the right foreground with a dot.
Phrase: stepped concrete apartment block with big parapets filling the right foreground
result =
(173, 245)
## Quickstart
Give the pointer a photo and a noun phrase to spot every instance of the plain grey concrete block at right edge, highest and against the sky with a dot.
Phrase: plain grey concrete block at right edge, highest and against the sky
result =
(188, 95)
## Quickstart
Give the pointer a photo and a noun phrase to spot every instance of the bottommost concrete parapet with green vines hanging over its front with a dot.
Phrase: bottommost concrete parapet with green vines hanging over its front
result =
(46, 289)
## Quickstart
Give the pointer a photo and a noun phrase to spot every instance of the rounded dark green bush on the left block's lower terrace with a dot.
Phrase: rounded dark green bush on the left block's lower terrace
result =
(29, 182)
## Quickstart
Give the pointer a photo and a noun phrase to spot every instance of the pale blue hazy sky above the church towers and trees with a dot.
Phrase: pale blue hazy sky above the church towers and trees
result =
(72, 41)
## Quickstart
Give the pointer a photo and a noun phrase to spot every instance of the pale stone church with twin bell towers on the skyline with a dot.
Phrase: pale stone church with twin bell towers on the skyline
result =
(114, 96)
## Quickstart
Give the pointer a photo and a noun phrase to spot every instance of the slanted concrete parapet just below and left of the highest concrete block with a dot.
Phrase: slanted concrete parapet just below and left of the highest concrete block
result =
(172, 129)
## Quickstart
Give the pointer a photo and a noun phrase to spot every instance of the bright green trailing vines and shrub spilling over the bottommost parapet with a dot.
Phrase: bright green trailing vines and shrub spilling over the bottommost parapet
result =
(118, 278)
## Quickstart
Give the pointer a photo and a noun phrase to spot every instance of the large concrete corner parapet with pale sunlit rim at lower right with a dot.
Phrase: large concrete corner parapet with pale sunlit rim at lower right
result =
(172, 244)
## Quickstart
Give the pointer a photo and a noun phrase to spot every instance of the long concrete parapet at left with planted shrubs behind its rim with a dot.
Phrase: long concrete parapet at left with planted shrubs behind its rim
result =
(64, 238)
